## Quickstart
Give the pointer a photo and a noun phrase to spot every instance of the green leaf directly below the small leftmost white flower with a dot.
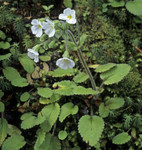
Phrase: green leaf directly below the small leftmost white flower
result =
(27, 63)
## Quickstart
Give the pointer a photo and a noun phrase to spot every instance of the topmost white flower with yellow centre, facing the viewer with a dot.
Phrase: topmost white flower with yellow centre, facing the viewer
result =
(68, 15)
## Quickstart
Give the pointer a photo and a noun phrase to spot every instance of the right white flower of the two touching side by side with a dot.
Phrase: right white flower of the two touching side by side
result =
(49, 28)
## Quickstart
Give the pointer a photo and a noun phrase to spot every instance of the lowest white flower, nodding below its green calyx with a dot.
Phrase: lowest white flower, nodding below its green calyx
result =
(65, 63)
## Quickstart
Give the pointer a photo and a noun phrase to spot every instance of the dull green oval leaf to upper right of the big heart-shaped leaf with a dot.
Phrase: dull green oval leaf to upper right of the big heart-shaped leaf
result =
(114, 103)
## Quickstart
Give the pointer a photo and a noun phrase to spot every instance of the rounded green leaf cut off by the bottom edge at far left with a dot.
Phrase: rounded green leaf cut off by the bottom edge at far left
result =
(14, 142)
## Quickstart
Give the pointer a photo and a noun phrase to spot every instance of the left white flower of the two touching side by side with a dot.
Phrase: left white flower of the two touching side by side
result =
(36, 28)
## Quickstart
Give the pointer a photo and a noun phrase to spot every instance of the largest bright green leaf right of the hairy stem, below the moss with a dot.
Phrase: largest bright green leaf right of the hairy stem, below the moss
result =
(115, 74)
